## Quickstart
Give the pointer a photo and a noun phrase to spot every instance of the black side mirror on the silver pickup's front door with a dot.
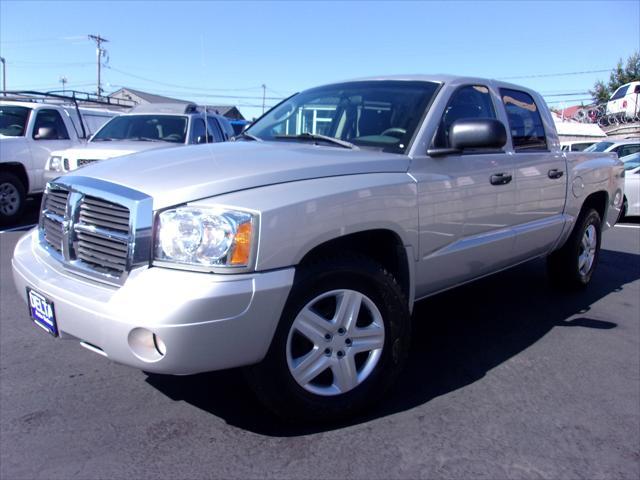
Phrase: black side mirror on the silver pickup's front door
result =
(473, 133)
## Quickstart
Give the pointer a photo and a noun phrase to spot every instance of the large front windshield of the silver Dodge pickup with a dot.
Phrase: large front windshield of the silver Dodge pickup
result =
(377, 114)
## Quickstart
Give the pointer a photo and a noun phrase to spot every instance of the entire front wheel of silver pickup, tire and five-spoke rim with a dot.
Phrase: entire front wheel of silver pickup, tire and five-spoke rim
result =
(341, 342)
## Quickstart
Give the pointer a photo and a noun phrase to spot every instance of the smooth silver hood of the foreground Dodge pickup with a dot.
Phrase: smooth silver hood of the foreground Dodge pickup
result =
(175, 176)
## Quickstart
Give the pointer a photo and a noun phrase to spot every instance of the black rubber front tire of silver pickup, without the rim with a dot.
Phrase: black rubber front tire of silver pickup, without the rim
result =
(272, 379)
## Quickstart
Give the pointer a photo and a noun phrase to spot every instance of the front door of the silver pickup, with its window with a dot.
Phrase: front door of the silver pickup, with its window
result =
(465, 213)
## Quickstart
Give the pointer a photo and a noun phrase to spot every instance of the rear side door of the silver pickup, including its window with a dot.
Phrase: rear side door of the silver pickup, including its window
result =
(540, 177)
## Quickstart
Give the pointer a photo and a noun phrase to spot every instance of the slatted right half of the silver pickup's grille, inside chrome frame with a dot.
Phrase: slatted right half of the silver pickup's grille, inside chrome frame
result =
(102, 233)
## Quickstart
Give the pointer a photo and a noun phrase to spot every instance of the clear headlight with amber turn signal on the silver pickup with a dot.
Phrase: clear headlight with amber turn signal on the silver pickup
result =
(205, 237)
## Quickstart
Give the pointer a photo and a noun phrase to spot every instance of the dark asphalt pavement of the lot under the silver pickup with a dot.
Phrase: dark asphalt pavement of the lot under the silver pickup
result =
(507, 378)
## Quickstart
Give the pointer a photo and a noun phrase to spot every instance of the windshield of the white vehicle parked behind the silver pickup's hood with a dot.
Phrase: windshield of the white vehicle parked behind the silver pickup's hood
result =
(165, 128)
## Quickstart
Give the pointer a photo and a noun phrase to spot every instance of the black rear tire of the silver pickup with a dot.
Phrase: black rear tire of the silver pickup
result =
(564, 265)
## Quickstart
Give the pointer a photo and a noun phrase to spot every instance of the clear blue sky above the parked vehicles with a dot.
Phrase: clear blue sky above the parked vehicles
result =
(222, 52)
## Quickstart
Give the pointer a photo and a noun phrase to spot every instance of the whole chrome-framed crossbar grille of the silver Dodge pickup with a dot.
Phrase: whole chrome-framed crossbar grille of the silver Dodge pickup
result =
(96, 229)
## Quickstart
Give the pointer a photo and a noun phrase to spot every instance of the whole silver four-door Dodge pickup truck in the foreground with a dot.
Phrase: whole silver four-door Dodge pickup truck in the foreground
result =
(299, 250)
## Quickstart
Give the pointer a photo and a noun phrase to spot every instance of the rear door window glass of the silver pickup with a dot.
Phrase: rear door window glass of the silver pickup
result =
(525, 122)
